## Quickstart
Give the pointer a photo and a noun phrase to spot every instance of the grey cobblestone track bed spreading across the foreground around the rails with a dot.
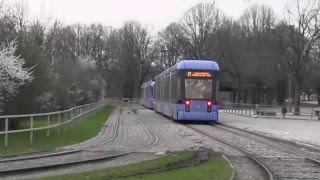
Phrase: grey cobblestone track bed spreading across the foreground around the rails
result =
(133, 135)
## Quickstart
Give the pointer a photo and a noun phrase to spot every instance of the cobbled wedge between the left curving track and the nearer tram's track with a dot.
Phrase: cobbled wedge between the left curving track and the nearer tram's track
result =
(176, 137)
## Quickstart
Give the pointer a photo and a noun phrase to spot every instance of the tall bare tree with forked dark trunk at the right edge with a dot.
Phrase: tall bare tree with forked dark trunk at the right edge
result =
(297, 35)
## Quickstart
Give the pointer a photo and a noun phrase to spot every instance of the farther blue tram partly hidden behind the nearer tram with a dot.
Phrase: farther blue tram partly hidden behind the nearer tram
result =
(147, 94)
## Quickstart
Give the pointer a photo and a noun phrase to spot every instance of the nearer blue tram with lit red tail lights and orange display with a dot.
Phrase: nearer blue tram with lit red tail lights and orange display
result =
(188, 91)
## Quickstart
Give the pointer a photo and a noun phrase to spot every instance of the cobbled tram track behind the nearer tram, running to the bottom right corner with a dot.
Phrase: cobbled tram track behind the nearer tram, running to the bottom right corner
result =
(278, 160)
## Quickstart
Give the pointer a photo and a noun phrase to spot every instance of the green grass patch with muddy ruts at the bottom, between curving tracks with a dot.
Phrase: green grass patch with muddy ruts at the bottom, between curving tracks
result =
(215, 168)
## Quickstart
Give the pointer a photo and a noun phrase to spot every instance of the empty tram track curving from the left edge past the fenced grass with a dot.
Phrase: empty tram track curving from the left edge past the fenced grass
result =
(85, 154)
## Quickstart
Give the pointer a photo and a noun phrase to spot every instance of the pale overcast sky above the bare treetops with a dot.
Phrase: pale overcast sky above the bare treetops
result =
(156, 14)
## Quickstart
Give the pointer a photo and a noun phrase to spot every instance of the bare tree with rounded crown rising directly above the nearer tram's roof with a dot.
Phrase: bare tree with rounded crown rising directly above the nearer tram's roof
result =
(197, 27)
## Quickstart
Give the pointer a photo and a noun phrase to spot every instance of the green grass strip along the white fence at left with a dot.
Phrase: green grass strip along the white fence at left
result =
(87, 128)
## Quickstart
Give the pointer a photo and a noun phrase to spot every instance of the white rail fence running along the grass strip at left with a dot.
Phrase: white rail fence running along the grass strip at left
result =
(46, 121)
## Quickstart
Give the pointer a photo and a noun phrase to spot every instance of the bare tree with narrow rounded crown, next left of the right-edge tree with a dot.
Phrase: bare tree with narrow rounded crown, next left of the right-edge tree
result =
(259, 56)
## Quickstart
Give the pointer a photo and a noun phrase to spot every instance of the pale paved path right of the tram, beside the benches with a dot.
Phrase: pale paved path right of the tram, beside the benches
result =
(304, 131)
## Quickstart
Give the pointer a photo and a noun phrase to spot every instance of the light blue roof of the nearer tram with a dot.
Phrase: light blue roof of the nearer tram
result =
(193, 65)
